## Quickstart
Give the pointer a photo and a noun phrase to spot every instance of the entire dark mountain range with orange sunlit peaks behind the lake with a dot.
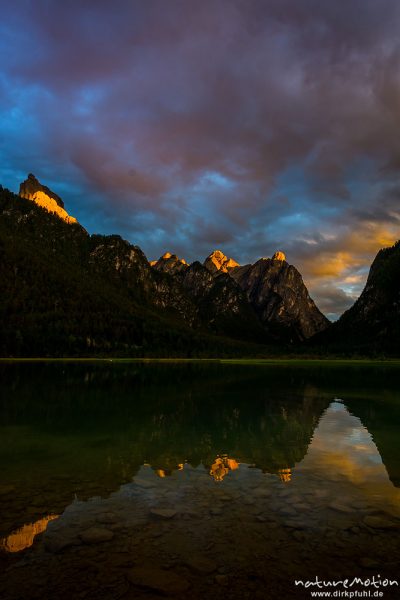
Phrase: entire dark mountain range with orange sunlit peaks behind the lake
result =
(67, 293)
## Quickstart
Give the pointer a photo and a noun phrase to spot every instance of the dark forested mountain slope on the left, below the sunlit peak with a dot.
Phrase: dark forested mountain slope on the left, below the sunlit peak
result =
(66, 293)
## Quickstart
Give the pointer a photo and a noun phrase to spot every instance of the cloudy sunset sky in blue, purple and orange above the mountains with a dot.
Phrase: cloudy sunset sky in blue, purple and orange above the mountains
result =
(248, 126)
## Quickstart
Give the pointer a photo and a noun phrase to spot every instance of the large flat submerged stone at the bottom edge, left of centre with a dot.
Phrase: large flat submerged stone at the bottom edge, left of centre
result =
(158, 580)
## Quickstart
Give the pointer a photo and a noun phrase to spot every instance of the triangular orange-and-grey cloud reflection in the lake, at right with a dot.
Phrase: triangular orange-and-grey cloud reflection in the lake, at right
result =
(342, 446)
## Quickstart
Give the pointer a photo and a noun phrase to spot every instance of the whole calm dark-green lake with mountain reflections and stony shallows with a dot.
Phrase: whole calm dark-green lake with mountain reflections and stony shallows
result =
(198, 479)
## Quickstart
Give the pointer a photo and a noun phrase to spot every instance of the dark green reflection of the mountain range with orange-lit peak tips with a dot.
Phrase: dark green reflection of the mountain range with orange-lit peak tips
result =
(85, 429)
